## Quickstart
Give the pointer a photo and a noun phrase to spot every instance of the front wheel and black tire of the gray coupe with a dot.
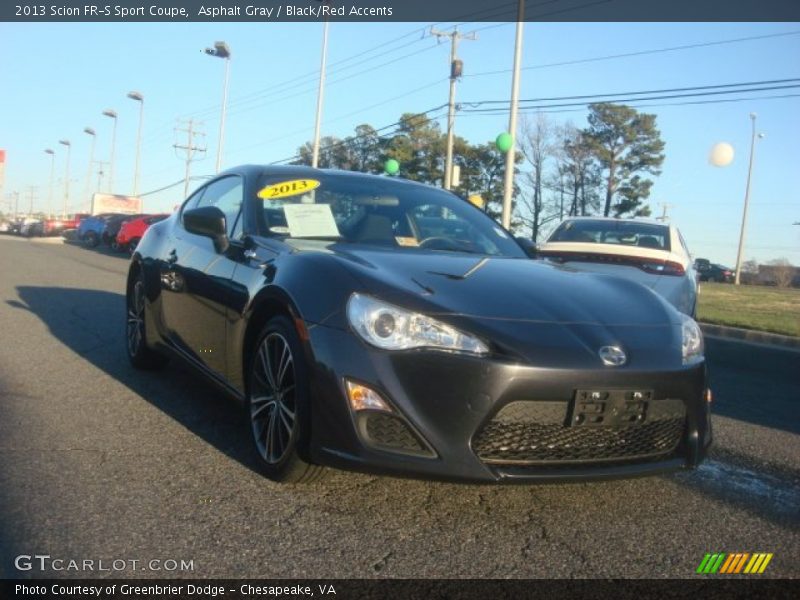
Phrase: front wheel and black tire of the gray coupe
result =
(277, 407)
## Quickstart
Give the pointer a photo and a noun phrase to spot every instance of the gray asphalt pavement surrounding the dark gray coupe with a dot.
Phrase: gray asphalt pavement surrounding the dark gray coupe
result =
(100, 462)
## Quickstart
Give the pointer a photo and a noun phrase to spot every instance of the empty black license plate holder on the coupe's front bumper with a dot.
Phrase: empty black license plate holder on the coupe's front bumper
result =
(609, 408)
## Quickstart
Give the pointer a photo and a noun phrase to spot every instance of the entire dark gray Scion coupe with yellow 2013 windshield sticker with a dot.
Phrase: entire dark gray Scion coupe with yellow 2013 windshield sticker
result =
(381, 325)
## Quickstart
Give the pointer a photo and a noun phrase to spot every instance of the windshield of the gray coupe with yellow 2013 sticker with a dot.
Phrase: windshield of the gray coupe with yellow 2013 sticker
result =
(378, 212)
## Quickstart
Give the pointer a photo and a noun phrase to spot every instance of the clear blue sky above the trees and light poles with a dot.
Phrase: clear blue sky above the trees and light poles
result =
(57, 78)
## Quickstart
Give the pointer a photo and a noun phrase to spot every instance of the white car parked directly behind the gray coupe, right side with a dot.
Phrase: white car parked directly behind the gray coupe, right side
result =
(649, 252)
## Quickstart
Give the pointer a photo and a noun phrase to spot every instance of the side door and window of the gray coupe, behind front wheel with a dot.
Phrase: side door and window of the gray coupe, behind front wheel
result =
(197, 279)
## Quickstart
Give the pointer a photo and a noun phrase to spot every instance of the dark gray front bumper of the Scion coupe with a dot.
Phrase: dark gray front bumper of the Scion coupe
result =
(450, 404)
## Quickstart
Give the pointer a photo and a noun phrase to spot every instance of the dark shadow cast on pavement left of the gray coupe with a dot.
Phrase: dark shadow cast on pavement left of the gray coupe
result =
(91, 323)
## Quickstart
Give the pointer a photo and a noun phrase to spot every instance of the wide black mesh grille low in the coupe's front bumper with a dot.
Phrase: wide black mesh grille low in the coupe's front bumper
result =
(524, 442)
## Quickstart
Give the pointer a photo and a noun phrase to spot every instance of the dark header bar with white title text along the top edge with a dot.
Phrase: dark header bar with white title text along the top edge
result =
(375, 11)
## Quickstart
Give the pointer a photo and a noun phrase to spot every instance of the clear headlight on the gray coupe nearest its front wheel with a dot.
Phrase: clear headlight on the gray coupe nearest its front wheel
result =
(392, 328)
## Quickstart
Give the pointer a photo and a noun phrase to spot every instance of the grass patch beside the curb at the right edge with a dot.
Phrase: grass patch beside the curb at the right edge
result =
(750, 307)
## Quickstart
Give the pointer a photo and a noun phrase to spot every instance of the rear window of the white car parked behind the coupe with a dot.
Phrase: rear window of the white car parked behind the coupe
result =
(618, 232)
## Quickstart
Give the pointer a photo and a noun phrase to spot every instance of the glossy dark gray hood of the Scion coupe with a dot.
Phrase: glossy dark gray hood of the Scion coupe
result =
(546, 314)
